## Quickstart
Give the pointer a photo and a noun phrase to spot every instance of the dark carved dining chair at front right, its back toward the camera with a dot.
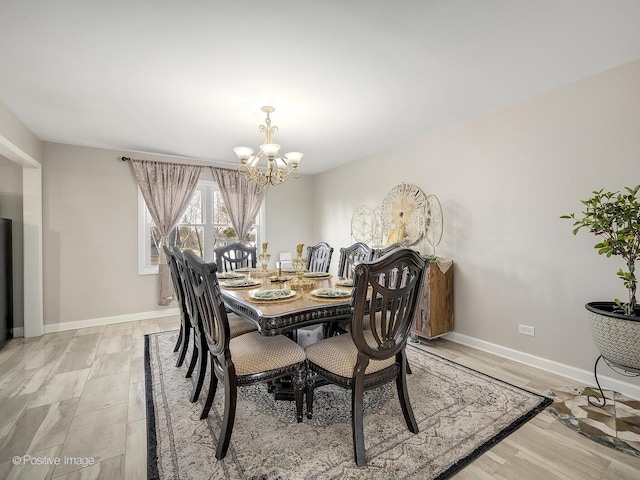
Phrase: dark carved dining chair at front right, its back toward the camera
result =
(386, 295)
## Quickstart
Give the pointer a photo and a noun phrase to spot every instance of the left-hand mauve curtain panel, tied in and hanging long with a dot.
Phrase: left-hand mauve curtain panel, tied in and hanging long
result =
(167, 189)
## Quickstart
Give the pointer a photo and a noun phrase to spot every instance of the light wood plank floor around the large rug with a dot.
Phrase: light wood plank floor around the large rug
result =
(78, 396)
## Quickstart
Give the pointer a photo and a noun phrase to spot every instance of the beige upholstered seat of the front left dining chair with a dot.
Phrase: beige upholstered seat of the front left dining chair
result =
(253, 353)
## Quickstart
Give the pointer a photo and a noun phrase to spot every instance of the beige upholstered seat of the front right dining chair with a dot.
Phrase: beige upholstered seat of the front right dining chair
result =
(339, 354)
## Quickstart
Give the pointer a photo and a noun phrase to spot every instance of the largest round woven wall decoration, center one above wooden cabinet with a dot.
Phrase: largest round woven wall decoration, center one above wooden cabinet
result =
(404, 214)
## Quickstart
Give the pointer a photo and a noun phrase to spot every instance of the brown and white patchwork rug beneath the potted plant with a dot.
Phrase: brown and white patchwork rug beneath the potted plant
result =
(616, 425)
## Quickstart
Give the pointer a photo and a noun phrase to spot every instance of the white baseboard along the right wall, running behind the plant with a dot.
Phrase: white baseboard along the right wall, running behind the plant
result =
(583, 376)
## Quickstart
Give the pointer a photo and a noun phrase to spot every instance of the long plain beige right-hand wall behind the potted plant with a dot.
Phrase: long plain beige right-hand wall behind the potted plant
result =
(503, 180)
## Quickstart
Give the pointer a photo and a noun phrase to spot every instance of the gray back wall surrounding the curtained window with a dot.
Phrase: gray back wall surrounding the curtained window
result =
(90, 232)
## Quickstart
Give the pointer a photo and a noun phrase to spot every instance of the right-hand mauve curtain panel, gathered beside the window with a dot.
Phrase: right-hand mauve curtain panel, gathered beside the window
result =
(242, 198)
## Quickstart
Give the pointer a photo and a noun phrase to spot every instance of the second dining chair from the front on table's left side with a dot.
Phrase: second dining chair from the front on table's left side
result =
(237, 326)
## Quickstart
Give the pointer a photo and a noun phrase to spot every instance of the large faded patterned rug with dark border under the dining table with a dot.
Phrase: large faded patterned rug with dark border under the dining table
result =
(461, 413)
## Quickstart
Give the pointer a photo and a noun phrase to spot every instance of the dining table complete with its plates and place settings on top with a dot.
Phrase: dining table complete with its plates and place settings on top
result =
(280, 304)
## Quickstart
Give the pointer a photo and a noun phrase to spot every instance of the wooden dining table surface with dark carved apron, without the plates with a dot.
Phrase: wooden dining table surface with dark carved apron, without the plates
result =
(278, 316)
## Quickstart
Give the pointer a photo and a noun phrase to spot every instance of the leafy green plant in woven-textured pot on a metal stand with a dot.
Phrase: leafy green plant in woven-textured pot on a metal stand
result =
(615, 325)
